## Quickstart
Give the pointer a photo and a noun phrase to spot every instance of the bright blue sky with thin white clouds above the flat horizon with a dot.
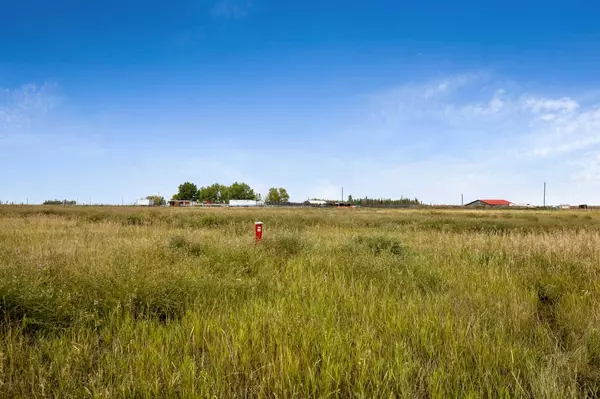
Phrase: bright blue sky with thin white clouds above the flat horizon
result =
(428, 99)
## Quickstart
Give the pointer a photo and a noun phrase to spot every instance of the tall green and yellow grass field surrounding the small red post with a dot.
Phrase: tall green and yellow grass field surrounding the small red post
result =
(123, 302)
